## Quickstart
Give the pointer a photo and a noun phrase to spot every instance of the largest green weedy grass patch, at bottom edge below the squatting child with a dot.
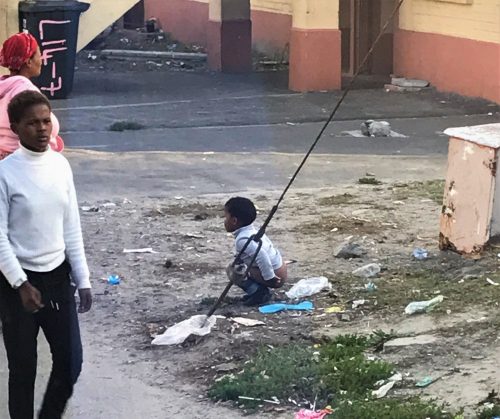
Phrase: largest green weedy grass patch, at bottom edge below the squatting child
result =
(336, 373)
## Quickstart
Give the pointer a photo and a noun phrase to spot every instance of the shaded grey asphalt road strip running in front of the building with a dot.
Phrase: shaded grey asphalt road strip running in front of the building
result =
(223, 113)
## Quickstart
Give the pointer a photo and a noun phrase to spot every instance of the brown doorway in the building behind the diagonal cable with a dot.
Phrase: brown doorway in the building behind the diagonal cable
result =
(360, 21)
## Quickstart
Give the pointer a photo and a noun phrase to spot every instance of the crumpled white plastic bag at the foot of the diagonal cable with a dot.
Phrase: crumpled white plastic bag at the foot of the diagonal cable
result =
(198, 325)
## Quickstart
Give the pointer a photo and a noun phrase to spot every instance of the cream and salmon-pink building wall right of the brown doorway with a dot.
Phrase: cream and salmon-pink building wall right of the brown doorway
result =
(455, 46)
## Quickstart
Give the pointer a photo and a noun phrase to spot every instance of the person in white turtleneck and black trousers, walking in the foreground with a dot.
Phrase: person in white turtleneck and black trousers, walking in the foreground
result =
(42, 258)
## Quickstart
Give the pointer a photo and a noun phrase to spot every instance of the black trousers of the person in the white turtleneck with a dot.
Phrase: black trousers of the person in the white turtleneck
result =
(59, 322)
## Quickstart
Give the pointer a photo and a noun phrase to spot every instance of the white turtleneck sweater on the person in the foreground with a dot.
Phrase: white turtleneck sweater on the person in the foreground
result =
(39, 218)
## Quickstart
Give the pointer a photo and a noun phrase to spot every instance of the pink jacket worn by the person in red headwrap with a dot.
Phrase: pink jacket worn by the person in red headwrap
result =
(9, 87)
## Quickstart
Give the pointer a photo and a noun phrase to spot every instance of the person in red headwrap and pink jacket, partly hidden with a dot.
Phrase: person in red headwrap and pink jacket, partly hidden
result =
(21, 55)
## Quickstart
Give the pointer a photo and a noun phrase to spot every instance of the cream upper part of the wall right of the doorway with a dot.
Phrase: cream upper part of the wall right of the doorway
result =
(478, 21)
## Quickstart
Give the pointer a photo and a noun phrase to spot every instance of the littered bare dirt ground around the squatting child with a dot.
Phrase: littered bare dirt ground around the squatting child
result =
(186, 273)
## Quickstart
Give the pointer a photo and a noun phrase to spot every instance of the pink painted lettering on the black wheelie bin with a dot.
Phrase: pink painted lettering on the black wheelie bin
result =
(50, 48)
